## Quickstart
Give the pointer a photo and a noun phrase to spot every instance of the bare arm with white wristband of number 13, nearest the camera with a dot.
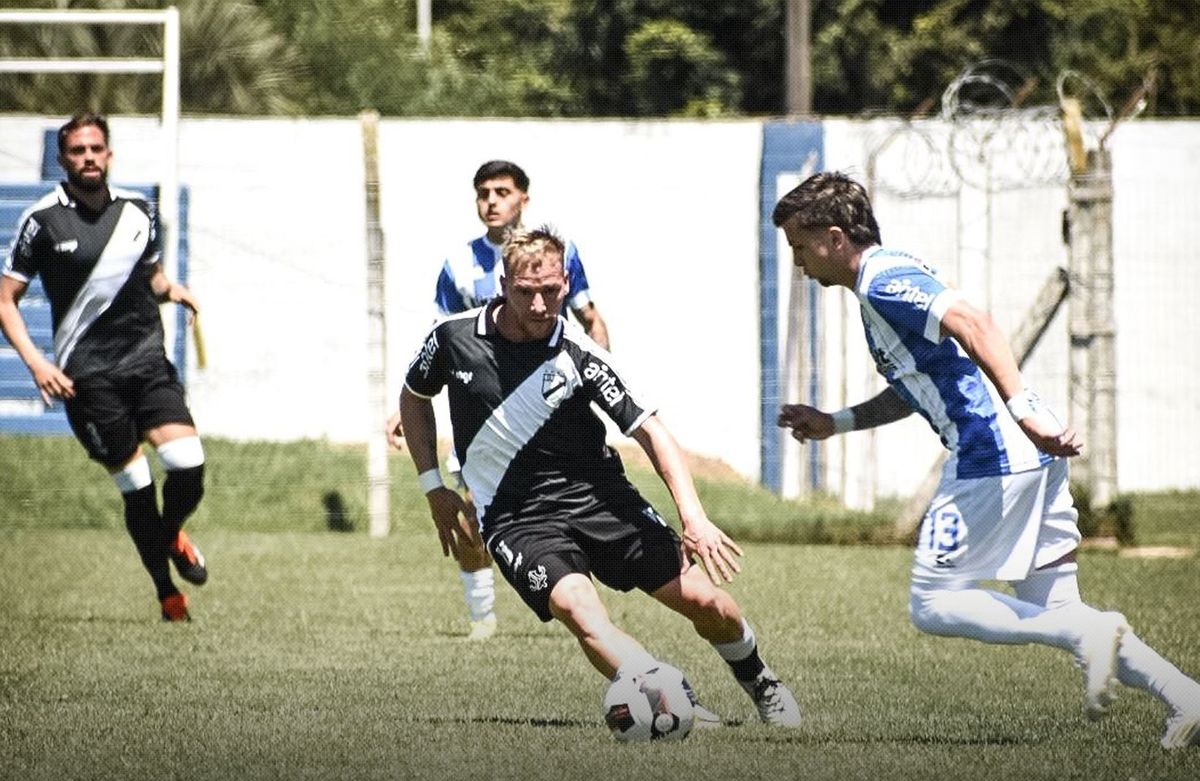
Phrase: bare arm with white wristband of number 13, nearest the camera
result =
(983, 341)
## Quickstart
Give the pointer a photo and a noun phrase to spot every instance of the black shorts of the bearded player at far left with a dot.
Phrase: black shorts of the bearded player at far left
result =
(110, 413)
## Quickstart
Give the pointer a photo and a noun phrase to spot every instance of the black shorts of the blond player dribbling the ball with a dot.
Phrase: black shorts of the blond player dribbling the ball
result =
(620, 539)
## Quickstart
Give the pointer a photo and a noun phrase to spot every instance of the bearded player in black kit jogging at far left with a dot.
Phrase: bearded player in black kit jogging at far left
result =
(98, 253)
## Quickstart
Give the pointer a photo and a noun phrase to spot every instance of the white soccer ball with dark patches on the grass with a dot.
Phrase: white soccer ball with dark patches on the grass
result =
(651, 706)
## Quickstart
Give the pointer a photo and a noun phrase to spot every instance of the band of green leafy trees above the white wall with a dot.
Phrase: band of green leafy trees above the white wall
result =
(611, 58)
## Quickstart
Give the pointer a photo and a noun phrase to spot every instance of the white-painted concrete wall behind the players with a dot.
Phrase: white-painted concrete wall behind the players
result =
(667, 218)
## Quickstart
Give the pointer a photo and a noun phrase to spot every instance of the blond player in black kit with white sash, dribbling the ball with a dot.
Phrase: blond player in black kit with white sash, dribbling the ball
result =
(551, 497)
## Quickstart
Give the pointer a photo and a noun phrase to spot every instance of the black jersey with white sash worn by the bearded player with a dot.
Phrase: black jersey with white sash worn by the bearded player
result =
(95, 268)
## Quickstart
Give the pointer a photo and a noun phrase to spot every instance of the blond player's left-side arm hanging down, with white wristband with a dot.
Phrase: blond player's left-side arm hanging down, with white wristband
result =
(453, 518)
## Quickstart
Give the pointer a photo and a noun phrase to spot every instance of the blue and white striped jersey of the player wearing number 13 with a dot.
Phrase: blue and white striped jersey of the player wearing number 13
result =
(903, 305)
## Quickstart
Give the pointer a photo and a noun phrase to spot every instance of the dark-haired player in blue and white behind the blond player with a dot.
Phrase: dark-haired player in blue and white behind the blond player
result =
(470, 278)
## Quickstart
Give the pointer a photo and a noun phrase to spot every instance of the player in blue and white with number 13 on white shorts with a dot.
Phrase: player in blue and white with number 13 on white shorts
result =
(1004, 510)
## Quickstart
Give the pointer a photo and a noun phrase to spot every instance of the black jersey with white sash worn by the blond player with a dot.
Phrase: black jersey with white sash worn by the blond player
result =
(524, 425)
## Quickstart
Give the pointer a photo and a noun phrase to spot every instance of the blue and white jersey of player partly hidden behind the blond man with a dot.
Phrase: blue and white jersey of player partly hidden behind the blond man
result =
(471, 278)
